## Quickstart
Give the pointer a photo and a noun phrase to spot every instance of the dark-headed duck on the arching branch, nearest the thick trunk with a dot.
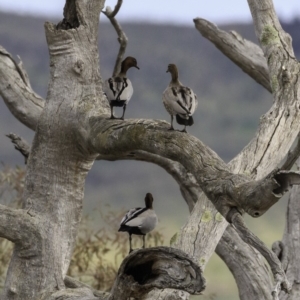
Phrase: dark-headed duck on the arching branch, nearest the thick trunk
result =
(118, 89)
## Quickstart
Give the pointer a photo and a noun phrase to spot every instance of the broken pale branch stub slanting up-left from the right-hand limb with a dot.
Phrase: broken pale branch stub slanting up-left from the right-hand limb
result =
(247, 55)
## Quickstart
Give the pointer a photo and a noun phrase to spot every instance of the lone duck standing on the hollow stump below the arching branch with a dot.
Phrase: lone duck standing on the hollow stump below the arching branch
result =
(139, 221)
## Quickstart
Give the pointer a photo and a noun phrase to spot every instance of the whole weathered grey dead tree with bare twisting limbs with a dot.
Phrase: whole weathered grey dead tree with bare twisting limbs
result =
(72, 130)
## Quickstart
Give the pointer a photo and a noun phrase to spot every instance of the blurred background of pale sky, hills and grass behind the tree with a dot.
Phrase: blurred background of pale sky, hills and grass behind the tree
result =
(230, 102)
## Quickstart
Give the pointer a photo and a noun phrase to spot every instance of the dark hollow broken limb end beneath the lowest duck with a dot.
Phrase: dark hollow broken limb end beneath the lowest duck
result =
(160, 267)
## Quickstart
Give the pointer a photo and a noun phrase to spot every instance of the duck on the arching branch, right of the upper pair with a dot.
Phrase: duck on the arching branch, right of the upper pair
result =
(179, 100)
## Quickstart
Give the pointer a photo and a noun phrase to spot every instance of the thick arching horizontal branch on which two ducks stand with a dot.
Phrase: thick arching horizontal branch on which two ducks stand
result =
(223, 188)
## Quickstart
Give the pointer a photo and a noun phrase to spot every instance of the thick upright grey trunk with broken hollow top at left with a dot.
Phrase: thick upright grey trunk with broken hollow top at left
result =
(59, 161)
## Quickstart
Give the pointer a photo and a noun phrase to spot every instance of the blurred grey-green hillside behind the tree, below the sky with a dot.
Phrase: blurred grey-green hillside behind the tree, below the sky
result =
(230, 104)
